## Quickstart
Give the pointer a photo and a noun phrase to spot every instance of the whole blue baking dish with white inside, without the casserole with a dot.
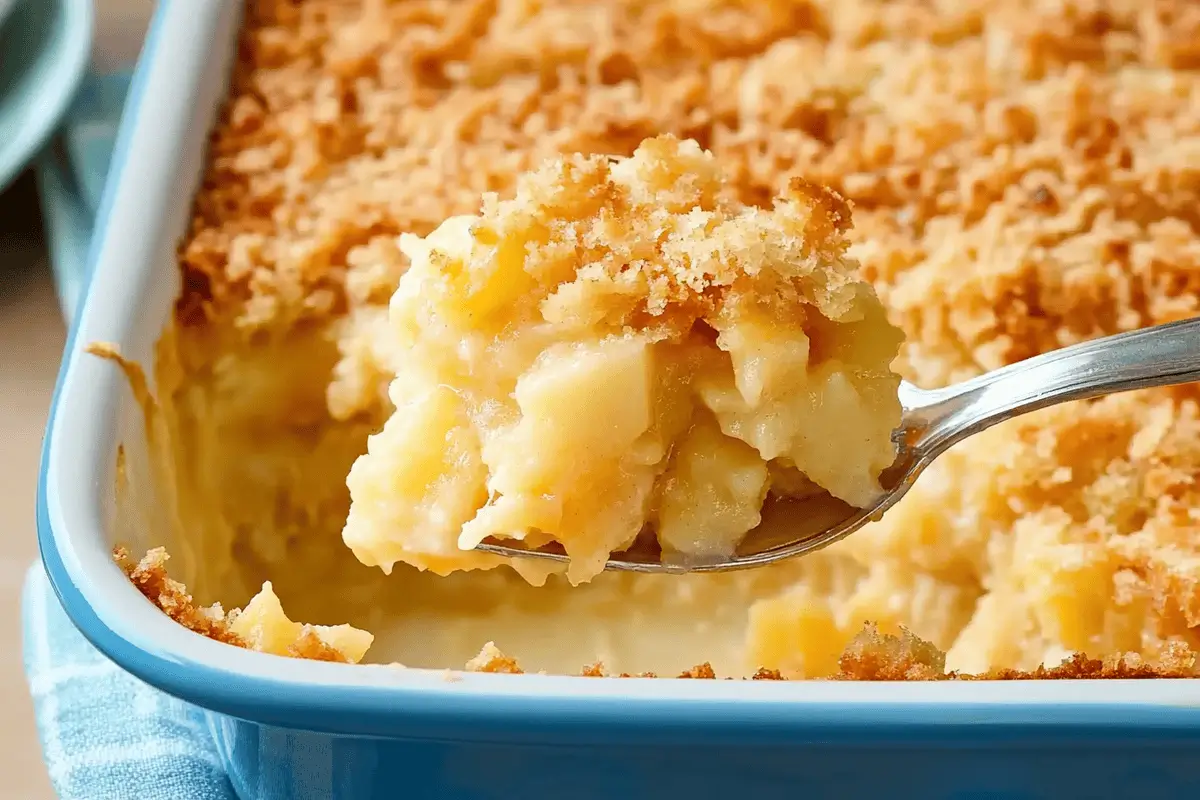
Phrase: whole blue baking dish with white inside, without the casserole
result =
(291, 729)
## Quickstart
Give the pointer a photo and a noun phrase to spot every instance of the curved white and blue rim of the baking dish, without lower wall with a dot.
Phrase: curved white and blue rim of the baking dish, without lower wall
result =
(172, 100)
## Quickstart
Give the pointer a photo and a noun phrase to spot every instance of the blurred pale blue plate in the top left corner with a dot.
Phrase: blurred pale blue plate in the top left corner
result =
(45, 47)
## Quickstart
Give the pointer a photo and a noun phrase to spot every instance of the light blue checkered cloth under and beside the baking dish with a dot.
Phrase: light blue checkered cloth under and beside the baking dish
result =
(106, 736)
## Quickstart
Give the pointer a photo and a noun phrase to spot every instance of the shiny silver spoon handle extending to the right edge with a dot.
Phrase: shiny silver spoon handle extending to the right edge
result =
(1165, 356)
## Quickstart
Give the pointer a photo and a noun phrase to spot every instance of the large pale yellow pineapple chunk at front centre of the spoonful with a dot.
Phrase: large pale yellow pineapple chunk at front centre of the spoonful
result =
(584, 412)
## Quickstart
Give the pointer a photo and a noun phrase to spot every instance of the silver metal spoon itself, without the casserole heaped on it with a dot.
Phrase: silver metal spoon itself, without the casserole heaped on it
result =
(933, 423)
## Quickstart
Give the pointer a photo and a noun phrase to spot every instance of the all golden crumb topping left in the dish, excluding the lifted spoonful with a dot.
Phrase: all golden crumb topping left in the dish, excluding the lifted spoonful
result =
(1024, 175)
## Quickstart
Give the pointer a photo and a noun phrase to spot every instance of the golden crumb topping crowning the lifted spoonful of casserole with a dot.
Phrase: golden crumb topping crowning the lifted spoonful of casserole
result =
(651, 243)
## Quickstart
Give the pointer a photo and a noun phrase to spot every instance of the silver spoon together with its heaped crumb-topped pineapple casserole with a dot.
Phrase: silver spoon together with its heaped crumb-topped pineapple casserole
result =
(626, 368)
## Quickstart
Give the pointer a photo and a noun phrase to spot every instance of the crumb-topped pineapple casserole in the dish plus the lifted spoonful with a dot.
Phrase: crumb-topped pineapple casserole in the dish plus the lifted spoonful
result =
(1023, 175)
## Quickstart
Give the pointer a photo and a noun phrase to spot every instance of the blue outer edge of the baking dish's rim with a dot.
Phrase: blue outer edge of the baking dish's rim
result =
(442, 714)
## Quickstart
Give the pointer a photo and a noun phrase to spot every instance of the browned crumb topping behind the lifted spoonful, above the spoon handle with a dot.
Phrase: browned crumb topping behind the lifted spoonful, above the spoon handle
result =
(1048, 145)
